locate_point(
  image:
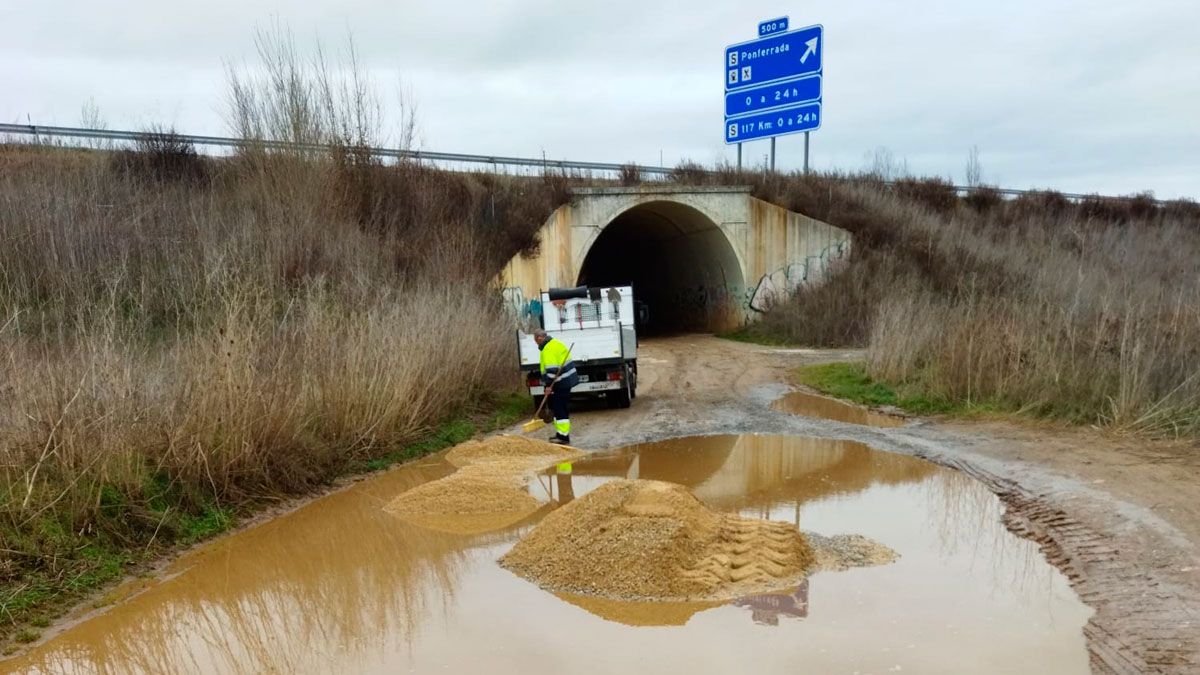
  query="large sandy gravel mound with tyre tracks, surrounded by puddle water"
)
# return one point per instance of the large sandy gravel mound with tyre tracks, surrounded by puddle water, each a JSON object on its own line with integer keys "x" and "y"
{"x": 647, "y": 540}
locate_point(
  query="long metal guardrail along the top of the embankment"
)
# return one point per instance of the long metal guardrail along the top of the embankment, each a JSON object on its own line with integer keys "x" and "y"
{"x": 419, "y": 156}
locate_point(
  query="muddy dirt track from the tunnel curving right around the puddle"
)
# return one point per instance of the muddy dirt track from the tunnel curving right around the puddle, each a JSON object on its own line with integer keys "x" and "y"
{"x": 1120, "y": 517}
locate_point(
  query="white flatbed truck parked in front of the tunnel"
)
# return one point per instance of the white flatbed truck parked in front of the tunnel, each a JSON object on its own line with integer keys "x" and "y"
{"x": 601, "y": 325}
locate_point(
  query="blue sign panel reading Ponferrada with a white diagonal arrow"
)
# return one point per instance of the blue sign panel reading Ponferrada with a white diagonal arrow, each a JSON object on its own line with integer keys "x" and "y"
{"x": 773, "y": 58}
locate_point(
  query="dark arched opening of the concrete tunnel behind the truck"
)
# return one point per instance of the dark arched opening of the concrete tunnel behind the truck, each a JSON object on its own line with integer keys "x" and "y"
{"x": 680, "y": 264}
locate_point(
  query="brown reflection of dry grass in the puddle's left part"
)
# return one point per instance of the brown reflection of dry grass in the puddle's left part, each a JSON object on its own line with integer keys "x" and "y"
{"x": 344, "y": 575}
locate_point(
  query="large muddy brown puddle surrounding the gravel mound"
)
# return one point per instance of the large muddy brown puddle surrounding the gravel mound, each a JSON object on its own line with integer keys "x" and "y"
{"x": 343, "y": 587}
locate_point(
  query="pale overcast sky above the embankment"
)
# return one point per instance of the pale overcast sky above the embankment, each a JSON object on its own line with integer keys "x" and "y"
{"x": 1079, "y": 97}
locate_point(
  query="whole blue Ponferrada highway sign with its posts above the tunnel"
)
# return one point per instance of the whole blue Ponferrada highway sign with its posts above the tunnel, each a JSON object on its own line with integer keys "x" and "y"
{"x": 773, "y": 86}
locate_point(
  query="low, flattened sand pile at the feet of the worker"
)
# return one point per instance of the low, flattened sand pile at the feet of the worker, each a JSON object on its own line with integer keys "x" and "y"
{"x": 488, "y": 492}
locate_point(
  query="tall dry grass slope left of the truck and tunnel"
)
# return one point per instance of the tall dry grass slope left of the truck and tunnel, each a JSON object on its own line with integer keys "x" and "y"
{"x": 181, "y": 336}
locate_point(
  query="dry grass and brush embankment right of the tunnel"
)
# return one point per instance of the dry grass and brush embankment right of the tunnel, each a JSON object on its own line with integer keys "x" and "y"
{"x": 1088, "y": 312}
